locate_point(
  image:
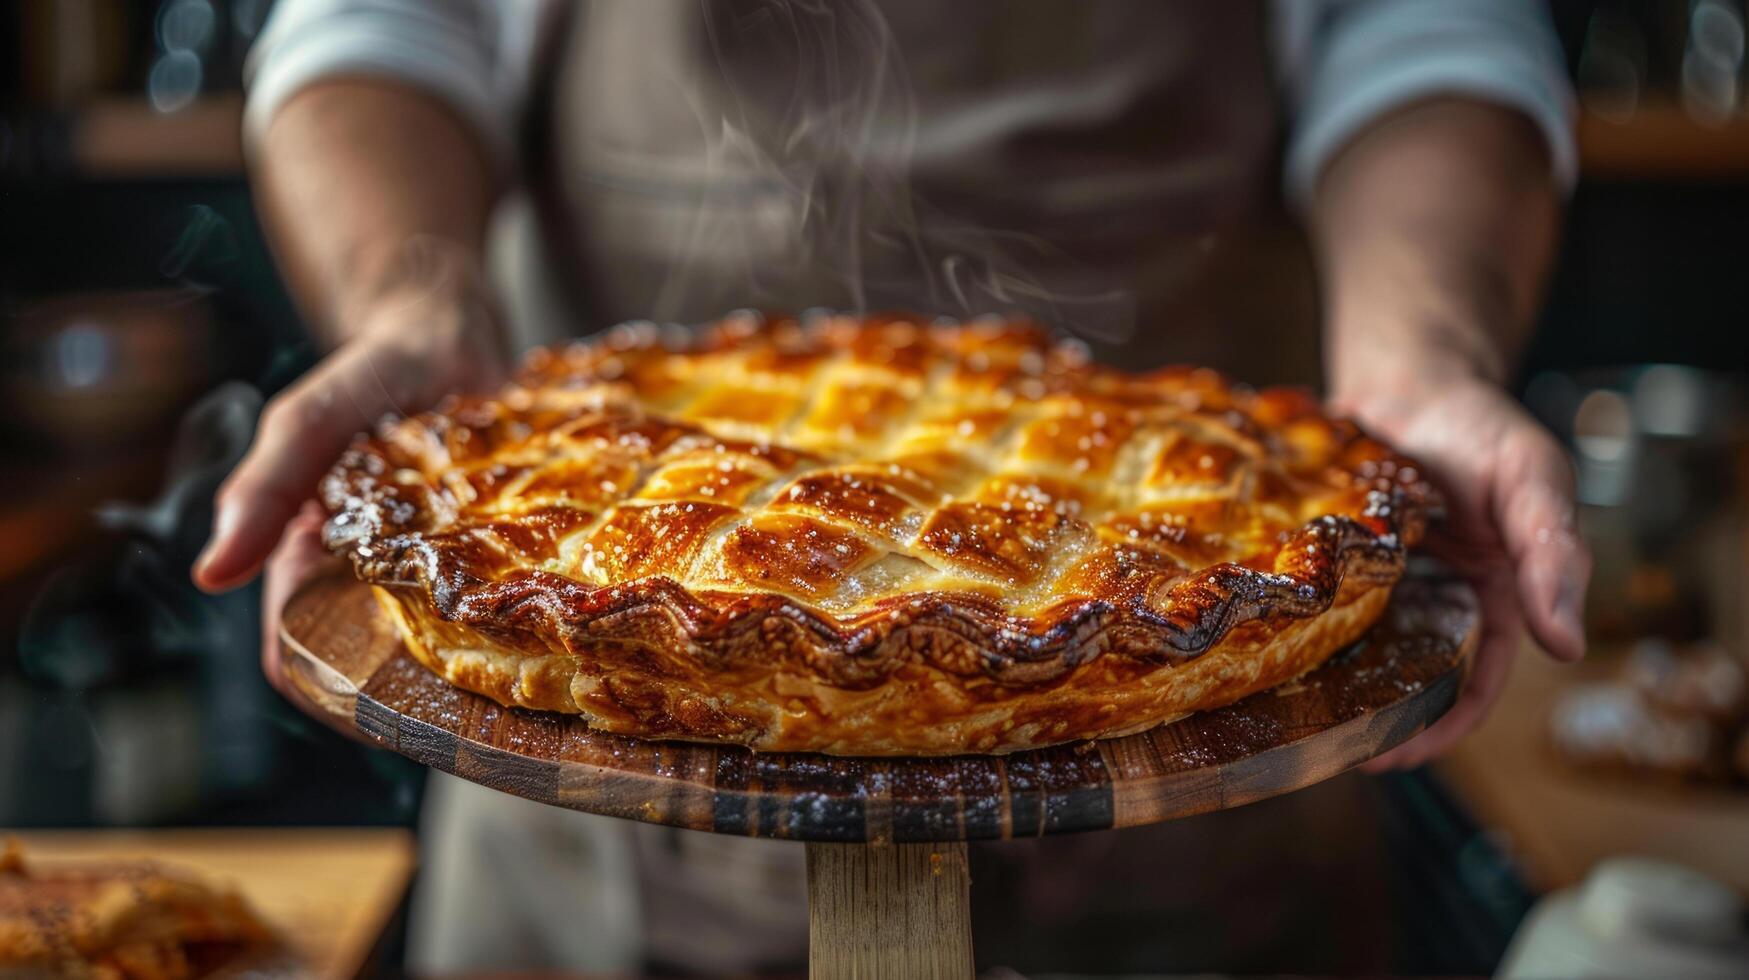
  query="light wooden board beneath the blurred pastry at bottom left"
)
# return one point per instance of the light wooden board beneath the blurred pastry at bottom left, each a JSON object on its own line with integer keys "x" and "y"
{"x": 328, "y": 893}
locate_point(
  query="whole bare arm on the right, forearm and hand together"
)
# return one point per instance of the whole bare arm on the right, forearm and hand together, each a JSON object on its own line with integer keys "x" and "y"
{"x": 1435, "y": 230}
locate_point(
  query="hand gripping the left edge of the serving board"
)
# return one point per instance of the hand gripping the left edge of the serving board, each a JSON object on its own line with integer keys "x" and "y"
{"x": 408, "y": 347}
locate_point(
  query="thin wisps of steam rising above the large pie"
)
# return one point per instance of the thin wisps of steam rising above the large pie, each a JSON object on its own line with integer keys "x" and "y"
{"x": 840, "y": 155}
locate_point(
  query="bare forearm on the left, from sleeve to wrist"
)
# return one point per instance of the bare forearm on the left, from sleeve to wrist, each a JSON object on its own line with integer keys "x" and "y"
{"x": 354, "y": 171}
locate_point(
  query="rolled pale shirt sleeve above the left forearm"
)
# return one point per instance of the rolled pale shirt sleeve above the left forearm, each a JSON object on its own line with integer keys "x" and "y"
{"x": 475, "y": 55}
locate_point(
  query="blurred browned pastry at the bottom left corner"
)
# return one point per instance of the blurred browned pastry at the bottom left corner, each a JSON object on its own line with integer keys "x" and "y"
{"x": 116, "y": 921}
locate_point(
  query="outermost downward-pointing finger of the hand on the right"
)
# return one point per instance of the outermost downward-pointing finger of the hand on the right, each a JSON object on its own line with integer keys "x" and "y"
{"x": 1535, "y": 514}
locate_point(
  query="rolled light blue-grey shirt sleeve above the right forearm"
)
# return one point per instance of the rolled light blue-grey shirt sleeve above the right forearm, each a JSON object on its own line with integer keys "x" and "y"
{"x": 1344, "y": 64}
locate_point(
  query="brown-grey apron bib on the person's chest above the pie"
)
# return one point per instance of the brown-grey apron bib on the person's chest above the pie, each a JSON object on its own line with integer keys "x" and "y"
{"x": 1075, "y": 162}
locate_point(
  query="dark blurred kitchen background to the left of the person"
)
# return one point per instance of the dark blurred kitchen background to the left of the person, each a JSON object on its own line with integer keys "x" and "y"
{"x": 136, "y": 298}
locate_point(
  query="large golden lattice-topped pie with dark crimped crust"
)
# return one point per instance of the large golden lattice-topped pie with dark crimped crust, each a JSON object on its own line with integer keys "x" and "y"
{"x": 872, "y": 536}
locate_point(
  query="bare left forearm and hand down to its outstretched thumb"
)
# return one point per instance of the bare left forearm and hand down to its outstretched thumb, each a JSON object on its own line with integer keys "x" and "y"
{"x": 377, "y": 200}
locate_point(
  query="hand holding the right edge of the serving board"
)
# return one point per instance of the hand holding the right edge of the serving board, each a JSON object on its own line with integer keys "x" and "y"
{"x": 1510, "y": 529}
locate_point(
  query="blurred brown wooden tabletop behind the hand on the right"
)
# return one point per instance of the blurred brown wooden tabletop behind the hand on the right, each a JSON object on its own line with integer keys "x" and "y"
{"x": 1557, "y": 822}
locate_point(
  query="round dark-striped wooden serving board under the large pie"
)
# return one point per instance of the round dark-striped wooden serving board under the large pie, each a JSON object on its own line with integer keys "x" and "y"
{"x": 344, "y": 654}
